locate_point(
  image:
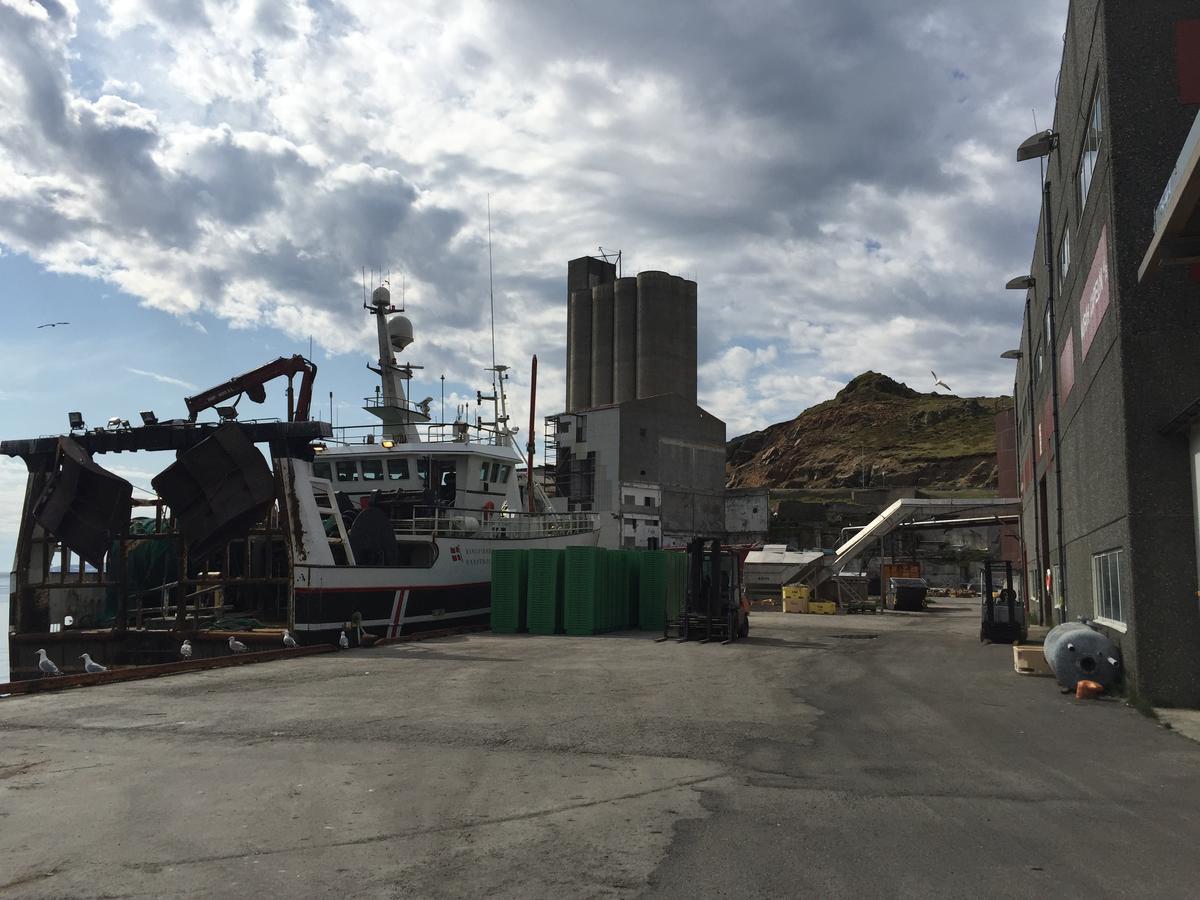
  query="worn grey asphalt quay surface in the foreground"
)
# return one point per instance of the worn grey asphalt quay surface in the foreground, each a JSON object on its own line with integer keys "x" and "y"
{"x": 850, "y": 757}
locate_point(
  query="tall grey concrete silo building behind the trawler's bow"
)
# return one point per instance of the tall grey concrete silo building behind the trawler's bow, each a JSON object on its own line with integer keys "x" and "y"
{"x": 633, "y": 445}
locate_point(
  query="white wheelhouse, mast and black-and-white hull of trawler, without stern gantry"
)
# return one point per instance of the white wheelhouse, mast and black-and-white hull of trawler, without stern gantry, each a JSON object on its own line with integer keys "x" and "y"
{"x": 395, "y": 523}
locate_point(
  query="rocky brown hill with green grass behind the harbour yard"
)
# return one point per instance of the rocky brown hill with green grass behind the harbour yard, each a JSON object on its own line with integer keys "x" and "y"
{"x": 875, "y": 425}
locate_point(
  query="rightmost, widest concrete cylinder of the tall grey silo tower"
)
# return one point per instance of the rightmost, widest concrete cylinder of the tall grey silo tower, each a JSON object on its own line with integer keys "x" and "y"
{"x": 662, "y": 335}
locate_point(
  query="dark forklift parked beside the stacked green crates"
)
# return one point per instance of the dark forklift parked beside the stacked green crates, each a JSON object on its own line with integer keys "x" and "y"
{"x": 715, "y": 608}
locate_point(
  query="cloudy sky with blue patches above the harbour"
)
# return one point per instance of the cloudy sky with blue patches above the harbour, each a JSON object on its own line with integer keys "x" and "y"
{"x": 196, "y": 187}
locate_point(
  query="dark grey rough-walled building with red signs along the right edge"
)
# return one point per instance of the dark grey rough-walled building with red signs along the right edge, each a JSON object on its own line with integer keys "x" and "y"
{"x": 1107, "y": 368}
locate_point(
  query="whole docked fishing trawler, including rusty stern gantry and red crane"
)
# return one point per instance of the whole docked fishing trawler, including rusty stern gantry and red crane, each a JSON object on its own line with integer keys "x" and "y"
{"x": 377, "y": 530}
